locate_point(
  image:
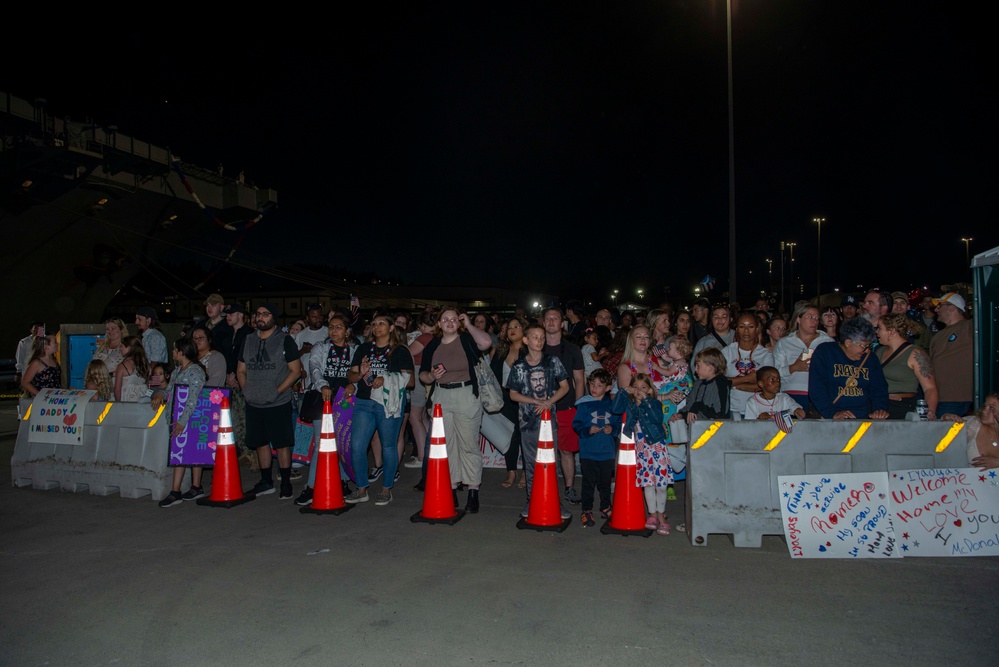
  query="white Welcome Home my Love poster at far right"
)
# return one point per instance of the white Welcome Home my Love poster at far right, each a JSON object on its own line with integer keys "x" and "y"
{"x": 946, "y": 511}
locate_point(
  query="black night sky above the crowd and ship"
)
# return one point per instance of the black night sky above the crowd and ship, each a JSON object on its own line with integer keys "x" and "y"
{"x": 577, "y": 148}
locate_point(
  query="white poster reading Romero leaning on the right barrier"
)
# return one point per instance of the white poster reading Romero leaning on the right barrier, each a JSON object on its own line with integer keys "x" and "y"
{"x": 838, "y": 515}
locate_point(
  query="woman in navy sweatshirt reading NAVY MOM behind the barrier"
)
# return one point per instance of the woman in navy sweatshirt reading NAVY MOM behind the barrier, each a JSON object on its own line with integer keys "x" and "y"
{"x": 845, "y": 379}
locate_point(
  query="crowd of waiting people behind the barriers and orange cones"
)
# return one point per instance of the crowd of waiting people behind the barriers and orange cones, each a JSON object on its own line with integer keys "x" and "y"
{"x": 872, "y": 357}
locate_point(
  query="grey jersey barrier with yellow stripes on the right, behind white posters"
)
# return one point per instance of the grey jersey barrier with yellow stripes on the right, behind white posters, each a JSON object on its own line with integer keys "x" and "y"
{"x": 733, "y": 466}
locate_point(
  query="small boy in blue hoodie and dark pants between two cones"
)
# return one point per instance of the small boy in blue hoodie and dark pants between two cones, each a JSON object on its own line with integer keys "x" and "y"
{"x": 597, "y": 429}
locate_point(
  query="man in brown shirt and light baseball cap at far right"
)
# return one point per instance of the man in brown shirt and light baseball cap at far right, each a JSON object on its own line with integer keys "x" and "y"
{"x": 952, "y": 351}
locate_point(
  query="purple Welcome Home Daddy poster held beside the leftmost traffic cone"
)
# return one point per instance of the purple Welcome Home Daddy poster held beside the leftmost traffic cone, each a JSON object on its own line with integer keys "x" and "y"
{"x": 195, "y": 446}
